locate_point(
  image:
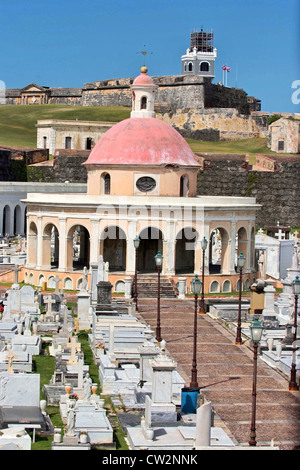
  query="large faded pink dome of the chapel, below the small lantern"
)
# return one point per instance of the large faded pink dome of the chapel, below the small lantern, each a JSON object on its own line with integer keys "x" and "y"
{"x": 142, "y": 141}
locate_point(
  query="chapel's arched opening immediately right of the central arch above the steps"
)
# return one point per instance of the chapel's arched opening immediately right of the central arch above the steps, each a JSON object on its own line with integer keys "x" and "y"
{"x": 185, "y": 251}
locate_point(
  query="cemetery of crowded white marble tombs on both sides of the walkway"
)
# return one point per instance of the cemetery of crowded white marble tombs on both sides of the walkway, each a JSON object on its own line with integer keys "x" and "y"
{"x": 130, "y": 384}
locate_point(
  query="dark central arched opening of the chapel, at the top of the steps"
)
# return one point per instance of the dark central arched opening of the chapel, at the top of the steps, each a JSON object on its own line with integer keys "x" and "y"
{"x": 151, "y": 242}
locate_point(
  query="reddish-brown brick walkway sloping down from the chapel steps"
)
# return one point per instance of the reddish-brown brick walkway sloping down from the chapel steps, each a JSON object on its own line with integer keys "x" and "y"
{"x": 225, "y": 374}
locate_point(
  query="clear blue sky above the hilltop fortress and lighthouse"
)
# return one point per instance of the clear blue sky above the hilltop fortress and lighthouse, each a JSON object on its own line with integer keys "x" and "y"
{"x": 66, "y": 43}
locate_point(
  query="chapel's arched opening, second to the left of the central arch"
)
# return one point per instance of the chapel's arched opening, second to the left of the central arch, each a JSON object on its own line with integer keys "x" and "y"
{"x": 78, "y": 248}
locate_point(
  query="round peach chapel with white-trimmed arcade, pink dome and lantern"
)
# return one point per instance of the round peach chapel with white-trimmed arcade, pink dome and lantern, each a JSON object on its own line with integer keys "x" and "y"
{"x": 142, "y": 181}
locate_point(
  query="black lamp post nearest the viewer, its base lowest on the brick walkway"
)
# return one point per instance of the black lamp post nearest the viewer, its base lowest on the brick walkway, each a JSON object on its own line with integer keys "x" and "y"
{"x": 256, "y": 334}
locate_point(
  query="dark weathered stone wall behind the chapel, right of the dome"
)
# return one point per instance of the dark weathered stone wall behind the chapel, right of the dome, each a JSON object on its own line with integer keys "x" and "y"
{"x": 277, "y": 189}
